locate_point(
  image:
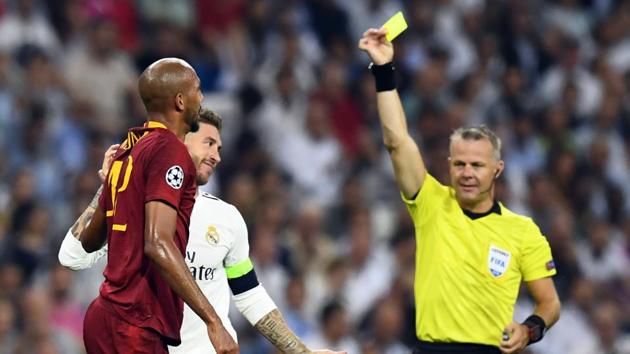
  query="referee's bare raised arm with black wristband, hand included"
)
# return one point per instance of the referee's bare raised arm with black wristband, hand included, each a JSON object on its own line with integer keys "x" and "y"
{"x": 406, "y": 159}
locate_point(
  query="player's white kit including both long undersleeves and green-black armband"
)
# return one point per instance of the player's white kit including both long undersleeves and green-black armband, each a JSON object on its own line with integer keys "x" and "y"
{"x": 218, "y": 258}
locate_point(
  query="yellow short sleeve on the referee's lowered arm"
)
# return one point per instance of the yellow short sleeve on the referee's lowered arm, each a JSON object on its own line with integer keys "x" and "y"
{"x": 537, "y": 261}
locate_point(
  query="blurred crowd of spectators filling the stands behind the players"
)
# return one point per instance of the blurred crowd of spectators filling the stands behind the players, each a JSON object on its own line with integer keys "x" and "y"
{"x": 303, "y": 159}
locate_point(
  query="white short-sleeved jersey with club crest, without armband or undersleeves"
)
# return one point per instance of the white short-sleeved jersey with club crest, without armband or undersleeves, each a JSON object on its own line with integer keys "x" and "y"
{"x": 218, "y": 238}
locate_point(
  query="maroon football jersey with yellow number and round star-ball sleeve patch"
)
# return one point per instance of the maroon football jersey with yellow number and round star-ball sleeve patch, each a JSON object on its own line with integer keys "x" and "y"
{"x": 152, "y": 165}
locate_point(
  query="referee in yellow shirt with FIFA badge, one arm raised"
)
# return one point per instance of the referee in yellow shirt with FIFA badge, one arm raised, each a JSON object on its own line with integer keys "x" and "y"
{"x": 472, "y": 252}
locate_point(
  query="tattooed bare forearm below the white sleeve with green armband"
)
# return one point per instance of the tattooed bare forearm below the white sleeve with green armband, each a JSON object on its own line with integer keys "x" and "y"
{"x": 275, "y": 329}
